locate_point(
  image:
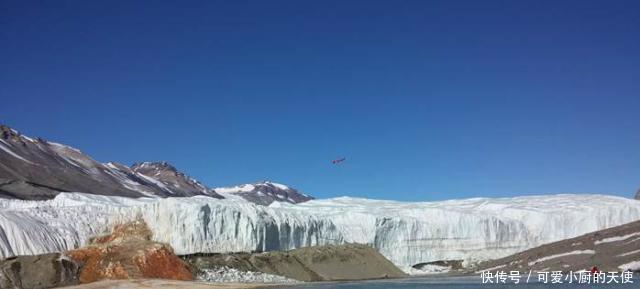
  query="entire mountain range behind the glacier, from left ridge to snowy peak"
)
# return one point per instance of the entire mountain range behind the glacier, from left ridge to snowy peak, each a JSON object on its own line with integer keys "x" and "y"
{"x": 36, "y": 169}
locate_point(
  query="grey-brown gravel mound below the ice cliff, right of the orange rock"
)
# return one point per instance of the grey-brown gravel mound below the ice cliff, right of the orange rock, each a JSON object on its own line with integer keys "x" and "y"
{"x": 320, "y": 263}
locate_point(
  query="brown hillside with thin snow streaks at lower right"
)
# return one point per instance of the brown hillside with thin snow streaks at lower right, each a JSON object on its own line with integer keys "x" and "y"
{"x": 613, "y": 249}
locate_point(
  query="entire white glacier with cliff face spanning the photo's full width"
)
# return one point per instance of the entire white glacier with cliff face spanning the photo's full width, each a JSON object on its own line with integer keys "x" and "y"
{"x": 406, "y": 233}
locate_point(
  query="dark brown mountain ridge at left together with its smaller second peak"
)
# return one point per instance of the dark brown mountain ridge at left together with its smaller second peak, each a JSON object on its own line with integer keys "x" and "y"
{"x": 39, "y": 169}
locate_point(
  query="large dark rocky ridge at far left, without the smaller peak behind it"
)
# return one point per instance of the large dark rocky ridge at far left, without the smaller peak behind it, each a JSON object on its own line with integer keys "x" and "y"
{"x": 38, "y": 169}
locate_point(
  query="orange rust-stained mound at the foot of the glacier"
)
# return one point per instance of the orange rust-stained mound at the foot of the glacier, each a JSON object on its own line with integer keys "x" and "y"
{"x": 127, "y": 253}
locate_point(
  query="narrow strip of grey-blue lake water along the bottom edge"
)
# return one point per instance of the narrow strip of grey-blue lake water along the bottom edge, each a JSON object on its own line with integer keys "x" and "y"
{"x": 454, "y": 282}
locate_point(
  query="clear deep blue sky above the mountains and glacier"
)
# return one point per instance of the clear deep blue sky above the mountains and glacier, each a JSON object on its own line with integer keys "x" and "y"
{"x": 427, "y": 100}
